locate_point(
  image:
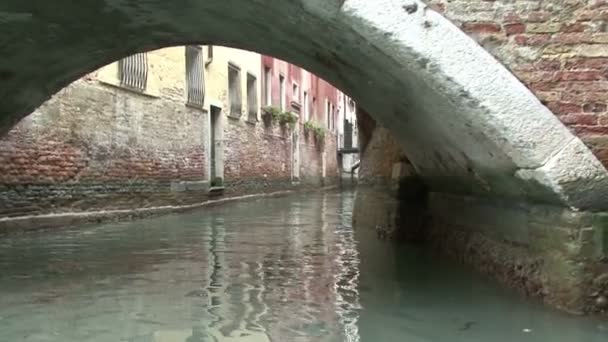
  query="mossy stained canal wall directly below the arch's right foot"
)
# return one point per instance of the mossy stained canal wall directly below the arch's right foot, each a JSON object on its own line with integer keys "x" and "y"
{"x": 547, "y": 252}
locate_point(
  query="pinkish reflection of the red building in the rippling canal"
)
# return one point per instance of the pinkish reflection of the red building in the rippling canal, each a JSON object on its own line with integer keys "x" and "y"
{"x": 297, "y": 285}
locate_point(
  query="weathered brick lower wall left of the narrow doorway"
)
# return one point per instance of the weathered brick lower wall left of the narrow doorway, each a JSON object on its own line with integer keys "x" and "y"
{"x": 92, "y": 147}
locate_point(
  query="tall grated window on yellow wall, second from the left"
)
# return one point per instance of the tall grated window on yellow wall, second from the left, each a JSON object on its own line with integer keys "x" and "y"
{"x": 195, "y": 82}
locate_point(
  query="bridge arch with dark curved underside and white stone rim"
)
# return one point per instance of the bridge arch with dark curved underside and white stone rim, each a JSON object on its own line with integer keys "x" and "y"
{"x": 465, "y": 122}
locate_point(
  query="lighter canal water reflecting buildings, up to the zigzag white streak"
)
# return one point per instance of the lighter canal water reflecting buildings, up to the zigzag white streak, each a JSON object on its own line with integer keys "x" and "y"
{"x": 268, "y": 270}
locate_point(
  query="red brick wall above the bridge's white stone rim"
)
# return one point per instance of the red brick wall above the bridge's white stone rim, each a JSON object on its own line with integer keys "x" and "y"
{"x": 558, "y": 48}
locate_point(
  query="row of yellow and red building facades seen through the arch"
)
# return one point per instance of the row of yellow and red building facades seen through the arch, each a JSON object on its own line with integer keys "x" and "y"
{"x": 171, "y": 127}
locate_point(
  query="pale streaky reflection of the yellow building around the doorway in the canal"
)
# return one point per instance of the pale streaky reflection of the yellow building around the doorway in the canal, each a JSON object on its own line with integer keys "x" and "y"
{"x": 228, "y": 312}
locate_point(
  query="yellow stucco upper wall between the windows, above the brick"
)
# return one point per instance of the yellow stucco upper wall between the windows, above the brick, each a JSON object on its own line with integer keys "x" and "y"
{"x": 167, "y": 75}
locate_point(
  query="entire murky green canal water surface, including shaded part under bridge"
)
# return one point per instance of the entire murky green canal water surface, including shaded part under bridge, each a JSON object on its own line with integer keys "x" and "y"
{"x": 283, "y": 269}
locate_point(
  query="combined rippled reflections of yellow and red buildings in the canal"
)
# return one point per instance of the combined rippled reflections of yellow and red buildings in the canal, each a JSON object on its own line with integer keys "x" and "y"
{"x": 299, "y": 284}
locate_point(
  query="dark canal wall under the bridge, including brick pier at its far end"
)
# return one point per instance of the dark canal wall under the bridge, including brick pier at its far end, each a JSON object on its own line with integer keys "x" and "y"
{"x": 544, "y": 251}
